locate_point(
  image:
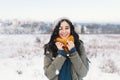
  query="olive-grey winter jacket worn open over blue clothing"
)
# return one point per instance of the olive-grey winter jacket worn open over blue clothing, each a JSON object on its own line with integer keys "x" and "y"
{"x": 53, "y": 65}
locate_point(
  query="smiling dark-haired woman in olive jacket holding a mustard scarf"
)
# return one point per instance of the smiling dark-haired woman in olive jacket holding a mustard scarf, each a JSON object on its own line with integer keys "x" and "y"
{"x": 65, "y": 57}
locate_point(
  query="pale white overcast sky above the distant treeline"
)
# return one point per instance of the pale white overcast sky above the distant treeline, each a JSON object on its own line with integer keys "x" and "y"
{"x": 50, "y": 10}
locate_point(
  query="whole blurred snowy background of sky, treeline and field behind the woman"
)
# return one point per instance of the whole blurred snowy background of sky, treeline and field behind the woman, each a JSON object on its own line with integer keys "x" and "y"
{"x": 26, "y": 25}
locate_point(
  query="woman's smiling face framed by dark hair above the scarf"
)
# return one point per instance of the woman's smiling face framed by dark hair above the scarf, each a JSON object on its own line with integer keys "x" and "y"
{"x": 64, "y": 29}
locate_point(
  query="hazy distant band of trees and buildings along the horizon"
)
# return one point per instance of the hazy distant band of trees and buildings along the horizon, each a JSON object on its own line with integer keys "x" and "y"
{"x": 32, "y": 27}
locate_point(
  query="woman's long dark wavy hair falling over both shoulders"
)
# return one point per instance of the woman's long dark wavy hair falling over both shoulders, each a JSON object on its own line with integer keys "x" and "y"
{"x": 55, "y": 34}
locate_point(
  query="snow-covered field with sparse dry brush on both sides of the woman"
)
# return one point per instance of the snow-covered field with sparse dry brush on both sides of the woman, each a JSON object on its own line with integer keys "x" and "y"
{"x": 21, "y": 56}
